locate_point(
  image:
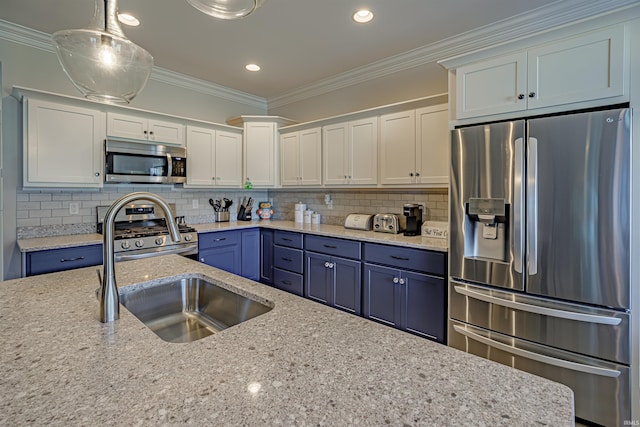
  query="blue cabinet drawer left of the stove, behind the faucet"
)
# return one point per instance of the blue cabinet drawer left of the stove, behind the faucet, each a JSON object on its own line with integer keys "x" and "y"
{"x": 63, "y": 259}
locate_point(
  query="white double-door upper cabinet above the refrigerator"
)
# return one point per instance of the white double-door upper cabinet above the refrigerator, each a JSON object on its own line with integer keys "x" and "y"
{"x": 579, "y": 69}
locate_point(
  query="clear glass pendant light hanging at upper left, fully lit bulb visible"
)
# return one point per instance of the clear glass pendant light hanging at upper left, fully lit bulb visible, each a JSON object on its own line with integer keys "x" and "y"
{"x": 100, "y": 61}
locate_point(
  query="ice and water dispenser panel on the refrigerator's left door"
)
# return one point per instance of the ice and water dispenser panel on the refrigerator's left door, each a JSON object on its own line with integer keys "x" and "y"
{"x": 486, "y": 229}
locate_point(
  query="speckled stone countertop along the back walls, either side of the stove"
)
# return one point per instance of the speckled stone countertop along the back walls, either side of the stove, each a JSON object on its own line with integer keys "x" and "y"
{"x": 57, "y": 242}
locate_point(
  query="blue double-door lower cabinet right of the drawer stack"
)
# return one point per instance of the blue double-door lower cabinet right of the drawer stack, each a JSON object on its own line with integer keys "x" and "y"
{"x": 333, "y": 281}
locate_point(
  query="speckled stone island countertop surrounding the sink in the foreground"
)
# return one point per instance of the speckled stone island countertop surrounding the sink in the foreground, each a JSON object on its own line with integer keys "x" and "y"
{"x": 308, "y": 364}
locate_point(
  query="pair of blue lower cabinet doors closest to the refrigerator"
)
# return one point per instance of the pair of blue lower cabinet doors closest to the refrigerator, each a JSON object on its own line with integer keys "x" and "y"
{"x": 411, "y": 301}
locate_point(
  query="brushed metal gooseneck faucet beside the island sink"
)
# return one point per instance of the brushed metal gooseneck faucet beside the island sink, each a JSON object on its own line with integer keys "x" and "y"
{"x": 108, "y": 292}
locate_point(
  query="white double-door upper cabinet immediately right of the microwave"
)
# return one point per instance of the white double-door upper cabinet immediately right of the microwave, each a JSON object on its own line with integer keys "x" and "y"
{"x": 214, "y": 158}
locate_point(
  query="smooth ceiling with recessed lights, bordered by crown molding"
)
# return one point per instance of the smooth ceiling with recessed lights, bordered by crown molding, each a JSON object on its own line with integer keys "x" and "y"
{"x": 296, "y": 42}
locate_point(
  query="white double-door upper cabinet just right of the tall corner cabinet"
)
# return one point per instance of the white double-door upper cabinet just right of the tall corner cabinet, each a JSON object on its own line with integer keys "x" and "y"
{"x": 301, "y": 157}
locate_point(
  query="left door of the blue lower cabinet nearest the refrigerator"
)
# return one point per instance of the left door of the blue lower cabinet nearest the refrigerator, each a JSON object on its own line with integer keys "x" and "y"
{"x": 381, "y": 302}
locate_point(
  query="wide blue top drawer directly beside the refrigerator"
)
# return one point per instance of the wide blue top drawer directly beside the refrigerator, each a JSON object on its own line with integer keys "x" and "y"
{"x": 405, "y": 258}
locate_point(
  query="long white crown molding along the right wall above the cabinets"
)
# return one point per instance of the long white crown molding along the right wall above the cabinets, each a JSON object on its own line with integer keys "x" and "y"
{"x": 556, "y": 15}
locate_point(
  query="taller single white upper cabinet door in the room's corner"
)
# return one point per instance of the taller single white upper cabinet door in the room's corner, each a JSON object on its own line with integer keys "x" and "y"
{"x": 260, "y": 153}
